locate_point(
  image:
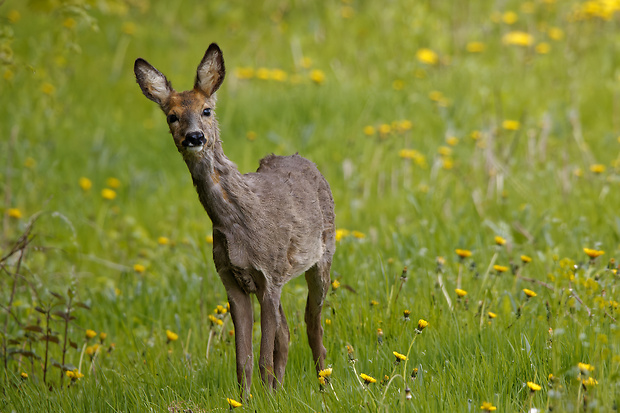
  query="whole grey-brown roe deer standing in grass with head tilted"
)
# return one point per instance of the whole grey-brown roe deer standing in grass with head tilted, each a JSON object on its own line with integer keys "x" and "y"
{"x": 268, "y": 226}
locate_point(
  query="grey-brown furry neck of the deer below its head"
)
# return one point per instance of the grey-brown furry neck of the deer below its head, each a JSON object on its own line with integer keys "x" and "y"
{"x": 222, "y": 190}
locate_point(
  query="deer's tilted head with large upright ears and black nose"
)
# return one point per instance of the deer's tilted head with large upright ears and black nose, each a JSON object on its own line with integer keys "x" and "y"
{"x": 190, "y": 114}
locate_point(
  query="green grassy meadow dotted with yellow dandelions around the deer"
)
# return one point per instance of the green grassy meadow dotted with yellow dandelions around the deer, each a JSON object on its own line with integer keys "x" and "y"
{"x": 473, "y": 151}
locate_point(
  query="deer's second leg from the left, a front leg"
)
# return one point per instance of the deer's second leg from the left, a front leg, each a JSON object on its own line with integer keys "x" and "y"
{"x": 270, "y": 323}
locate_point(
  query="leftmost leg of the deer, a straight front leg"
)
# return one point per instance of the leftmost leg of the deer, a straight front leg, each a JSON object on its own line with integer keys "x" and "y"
{"x": 243, "y": 318}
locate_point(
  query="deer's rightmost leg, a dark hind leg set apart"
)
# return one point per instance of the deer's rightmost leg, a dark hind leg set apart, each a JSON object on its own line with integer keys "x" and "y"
{"x": 317, "y": 278}
